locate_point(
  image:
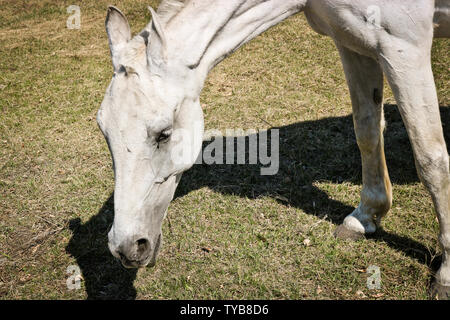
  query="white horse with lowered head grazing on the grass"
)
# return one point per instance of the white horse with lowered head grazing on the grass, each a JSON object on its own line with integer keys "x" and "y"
{"x": 159, "y": 74}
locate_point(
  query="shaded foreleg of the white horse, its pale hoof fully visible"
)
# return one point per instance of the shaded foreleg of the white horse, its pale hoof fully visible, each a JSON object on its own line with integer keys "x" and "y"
{"x": 365, "y": 81}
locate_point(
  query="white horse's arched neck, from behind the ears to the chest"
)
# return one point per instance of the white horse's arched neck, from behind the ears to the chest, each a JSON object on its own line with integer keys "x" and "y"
{"x": 203, "y": 33}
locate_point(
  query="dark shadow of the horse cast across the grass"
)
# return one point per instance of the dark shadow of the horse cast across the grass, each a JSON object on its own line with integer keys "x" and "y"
{"x": 309, "y": 152}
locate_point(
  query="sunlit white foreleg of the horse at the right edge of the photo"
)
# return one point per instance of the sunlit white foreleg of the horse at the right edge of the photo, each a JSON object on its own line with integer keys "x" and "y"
{"x": 408, "y": 70}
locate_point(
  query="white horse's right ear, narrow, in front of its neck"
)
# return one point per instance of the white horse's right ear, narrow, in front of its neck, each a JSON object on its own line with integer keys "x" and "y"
{"x": 156, "y": 50}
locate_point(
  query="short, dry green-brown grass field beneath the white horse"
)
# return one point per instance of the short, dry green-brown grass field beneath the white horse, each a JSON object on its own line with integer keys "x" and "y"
{"x": 231, "y": 233}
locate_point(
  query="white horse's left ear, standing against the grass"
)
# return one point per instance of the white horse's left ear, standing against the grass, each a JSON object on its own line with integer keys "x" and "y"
{"x": 118, "y": 31}
